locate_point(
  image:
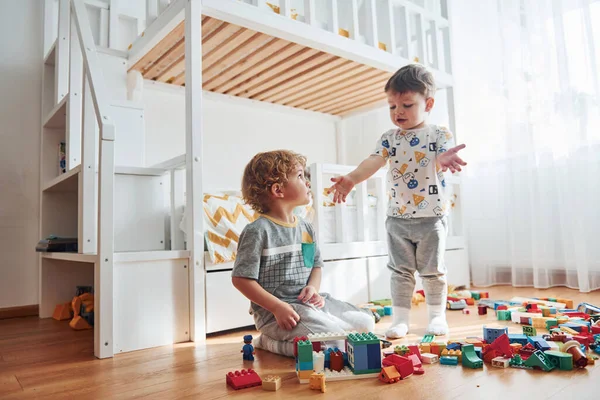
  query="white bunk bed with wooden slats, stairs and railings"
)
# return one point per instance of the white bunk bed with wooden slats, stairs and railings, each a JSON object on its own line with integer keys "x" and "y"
{"x": 155, "y": 284}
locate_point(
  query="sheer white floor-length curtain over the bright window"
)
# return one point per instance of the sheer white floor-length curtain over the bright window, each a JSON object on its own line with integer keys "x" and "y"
{"x": 528, "y": 107}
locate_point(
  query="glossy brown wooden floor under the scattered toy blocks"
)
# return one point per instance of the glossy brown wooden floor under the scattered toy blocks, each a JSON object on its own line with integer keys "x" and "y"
{"x": 45, "y": 359}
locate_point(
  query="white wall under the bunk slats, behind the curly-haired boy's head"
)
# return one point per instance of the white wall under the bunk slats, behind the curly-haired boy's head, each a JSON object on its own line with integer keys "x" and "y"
{"x": 234, "y": 131}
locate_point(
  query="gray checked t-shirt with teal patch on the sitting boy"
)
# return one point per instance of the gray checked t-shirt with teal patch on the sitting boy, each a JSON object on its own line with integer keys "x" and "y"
{"x": 279, "y": 257}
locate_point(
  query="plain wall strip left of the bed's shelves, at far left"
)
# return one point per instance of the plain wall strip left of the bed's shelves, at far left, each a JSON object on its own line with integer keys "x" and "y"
{"x": 20, "y": 93}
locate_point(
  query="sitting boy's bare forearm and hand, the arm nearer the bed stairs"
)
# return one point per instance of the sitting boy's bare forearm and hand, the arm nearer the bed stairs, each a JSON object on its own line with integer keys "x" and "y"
{"x": 285, "y": 315}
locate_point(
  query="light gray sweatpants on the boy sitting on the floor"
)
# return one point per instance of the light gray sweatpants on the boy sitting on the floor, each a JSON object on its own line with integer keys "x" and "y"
{"x": 335, "y": 316}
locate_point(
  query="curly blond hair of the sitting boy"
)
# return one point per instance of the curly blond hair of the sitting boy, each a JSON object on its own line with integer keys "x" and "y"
{"x": 265, "y": 170}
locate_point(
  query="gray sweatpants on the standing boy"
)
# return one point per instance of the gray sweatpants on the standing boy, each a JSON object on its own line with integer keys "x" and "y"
{"x": 417, "y": 245}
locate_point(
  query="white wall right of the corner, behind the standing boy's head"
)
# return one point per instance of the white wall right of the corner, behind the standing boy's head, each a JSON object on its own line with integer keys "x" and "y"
{"x": 361, "y": 132}
